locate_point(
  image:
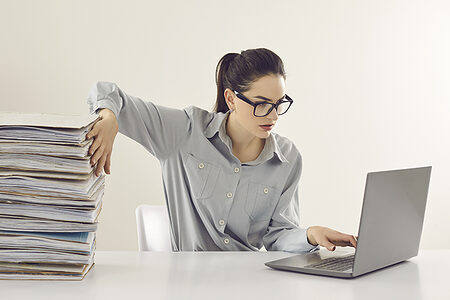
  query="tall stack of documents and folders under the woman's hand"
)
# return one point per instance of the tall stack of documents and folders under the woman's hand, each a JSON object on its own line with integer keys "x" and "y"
{"x": 50, "y": 198}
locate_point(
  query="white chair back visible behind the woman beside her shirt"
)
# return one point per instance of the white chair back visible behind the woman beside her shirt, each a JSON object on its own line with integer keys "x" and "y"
{"x": 153, "y": 228}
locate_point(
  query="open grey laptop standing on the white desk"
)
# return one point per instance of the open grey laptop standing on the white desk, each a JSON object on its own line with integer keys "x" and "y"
{"x": 390, "y": 228}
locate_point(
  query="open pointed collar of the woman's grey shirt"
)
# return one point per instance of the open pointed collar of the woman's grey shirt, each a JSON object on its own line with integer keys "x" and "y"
{"x": 217, "y": 125}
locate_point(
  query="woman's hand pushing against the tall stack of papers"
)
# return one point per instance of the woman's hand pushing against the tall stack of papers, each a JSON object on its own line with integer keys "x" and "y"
{"x": 103, "y": 132}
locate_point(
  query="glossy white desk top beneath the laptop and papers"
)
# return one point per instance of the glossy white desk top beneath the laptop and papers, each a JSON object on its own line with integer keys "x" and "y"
{"x": 235, "y": 275}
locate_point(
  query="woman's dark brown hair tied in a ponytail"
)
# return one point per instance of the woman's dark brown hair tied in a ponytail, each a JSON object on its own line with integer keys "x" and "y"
{"x": 238, "y": 71}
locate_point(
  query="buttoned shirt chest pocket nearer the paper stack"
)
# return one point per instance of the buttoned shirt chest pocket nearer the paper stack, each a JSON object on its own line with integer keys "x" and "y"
{"x": 202, "y": 176}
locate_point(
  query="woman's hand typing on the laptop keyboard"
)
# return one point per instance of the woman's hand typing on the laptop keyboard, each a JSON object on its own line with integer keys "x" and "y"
{"x": 329, "y": 238}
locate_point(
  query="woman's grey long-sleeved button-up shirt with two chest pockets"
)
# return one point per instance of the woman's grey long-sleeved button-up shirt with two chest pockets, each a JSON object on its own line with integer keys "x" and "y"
{"x": 214, "y": 201}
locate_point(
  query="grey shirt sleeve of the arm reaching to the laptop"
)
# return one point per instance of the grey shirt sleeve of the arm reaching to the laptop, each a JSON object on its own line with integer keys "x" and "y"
{"x": 284, "y": 232}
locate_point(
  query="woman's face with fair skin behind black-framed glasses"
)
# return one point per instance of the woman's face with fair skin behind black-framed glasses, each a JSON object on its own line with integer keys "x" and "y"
{"x": 269, "y": 88}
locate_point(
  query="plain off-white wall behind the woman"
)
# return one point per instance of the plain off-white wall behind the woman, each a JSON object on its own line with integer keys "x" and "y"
{"x": 370, "y": 81}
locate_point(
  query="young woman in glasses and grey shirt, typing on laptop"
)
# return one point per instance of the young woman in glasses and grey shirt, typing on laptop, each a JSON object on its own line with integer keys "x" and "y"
{"x": 230, "y": 183}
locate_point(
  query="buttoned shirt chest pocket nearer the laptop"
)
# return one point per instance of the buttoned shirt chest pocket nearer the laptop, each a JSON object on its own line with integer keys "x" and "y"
{"x": 261, "y": 200}
